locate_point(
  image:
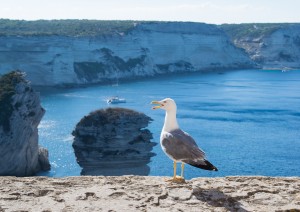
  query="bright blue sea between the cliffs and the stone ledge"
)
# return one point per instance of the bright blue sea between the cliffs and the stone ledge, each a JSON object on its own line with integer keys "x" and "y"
{"x": 247, "y": 121}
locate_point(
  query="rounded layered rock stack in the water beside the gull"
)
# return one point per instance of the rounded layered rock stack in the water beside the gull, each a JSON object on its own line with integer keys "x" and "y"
{"x": 113, "y": 141}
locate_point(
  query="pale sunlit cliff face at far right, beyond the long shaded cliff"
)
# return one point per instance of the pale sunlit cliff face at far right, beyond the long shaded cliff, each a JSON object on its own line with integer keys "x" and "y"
{"x": 274, "y": 46}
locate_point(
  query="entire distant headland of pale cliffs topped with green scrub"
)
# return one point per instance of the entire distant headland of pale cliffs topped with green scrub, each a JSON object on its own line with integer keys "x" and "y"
{"x": 77, "y": 52}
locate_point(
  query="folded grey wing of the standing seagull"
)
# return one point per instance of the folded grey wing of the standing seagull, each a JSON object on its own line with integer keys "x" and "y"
{"x": 181, "y": 146}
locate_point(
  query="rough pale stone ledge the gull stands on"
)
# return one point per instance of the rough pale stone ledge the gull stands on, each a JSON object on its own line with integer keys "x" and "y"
{"x": 140, "y": 193}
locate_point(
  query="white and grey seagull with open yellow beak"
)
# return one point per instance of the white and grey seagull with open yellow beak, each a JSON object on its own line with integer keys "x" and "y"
{"x": 178, "y": 145}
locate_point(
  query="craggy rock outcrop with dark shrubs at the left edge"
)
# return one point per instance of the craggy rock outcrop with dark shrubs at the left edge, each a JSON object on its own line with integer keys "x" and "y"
{"x": 20, "y": 114}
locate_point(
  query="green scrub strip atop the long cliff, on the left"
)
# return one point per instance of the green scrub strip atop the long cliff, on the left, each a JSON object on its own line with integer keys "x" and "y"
{"x": 72, "y": 28}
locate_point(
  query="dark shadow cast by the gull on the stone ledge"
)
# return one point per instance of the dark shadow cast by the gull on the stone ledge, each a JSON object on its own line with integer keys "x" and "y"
{"x": 217, "y": 198}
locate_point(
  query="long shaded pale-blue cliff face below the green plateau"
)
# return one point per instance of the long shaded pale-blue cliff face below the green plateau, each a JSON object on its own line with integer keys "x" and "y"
{"x": 146, "y": 50}
